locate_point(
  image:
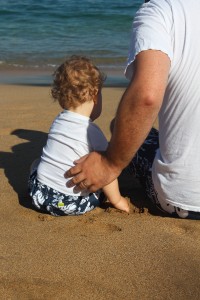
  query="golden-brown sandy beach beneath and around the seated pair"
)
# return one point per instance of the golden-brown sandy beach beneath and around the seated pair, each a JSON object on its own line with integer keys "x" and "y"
{"x": 104, "y": 254}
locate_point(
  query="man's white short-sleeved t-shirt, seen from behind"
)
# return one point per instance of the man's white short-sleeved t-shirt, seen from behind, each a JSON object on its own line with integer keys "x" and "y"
{"x": 173, "y": 27}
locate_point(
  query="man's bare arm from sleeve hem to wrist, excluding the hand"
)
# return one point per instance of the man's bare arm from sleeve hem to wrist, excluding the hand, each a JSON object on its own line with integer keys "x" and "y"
{"x": 139, "y": 106}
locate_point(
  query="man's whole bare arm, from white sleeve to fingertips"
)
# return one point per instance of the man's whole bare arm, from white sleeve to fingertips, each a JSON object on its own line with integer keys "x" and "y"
{"x": 135, "y": 116}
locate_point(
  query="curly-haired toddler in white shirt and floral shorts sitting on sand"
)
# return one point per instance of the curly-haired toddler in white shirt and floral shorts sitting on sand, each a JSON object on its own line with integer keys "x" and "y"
{"x": 77, "y": 87}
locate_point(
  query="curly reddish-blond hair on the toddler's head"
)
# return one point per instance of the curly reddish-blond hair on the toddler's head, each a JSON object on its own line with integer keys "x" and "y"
{"x": 76, "y": 81}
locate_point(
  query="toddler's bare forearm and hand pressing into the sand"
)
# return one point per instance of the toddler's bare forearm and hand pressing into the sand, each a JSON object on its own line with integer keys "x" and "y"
{"x": 113, "y": 194}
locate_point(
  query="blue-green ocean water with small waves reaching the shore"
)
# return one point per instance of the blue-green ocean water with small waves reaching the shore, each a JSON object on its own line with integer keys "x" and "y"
{"x": 40, "y": 34}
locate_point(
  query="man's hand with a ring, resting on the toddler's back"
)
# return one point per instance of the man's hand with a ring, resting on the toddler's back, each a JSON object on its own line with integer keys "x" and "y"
{"x": 92, "y": 172}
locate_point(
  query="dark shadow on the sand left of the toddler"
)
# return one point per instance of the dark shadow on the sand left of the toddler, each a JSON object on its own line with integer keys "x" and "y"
{"x": 16, "y": 164}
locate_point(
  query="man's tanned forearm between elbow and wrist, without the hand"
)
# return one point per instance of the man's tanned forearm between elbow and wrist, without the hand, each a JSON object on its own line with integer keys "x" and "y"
{"x": 134, "y": 120}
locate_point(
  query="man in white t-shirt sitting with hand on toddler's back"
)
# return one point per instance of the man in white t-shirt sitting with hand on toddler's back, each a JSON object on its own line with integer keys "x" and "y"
{"x": 164, "y": 69}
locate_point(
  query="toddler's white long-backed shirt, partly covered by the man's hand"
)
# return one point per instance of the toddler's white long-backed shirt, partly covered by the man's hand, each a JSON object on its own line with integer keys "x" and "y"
{"x": 71, "y": 136}
